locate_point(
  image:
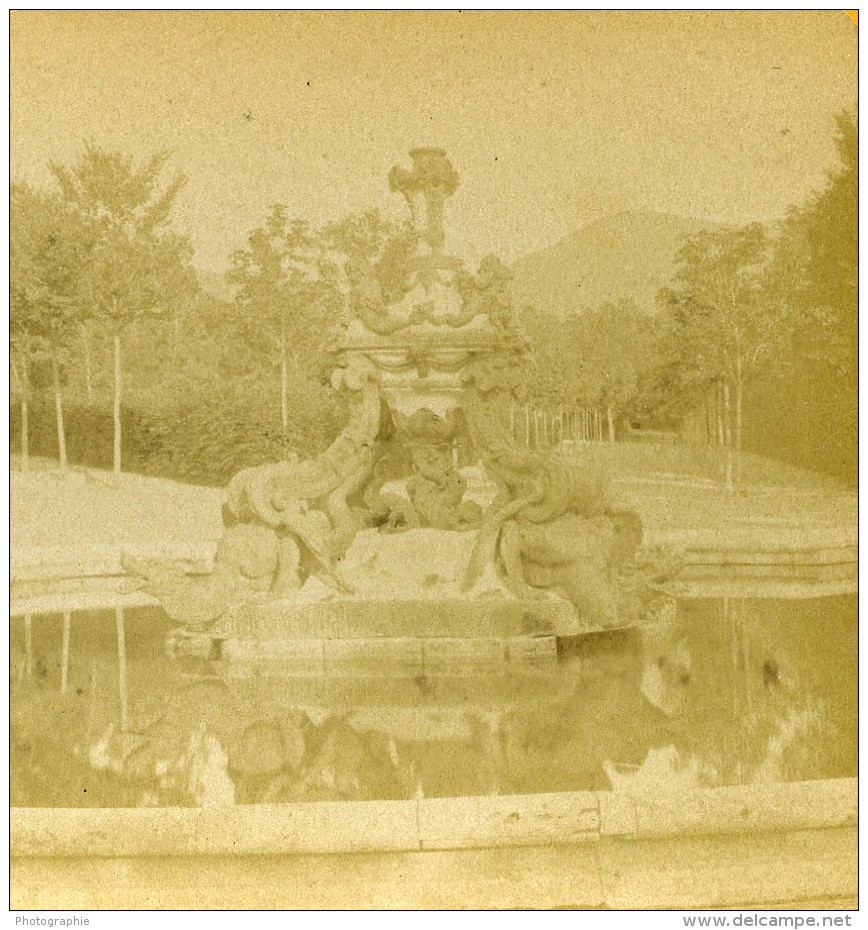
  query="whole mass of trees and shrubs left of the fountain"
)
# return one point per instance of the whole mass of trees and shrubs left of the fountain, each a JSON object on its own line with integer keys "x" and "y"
{"x": 96, "y": 261}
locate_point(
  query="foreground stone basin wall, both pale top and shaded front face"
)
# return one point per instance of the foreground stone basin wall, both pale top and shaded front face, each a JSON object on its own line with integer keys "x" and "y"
{"x": 760, "y": 847}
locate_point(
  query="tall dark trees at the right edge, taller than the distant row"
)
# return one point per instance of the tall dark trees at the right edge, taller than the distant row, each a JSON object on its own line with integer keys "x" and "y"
{"x": 758, "y": 307}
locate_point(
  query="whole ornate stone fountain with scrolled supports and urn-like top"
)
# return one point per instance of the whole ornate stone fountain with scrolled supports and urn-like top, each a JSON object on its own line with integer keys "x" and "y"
{"x": 377, "y": 539}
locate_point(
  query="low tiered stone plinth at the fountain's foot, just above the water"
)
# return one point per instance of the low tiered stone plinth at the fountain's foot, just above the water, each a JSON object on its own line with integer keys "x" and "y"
{"x": 411, "y": 637}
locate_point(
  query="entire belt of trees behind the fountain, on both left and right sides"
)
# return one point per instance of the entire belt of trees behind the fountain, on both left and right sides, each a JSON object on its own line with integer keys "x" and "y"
{"x": 102, "y": 285}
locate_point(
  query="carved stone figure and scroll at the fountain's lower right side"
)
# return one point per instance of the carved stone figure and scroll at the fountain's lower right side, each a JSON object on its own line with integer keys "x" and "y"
{"x": 551, "y": 530}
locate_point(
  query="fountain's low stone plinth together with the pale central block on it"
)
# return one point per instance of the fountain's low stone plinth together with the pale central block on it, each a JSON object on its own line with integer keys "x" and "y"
{"x": 406, "y": 617}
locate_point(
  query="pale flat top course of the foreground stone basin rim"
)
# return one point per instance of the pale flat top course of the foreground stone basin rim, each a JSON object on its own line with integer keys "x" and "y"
{"x": 432, "y": 823}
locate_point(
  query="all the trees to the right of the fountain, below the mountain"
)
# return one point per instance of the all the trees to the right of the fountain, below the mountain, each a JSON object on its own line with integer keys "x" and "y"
{"x": 747, "y": 307}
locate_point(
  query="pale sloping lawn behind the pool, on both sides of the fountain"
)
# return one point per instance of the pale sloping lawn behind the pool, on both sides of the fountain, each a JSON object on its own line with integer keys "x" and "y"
{"x": 668, "y": 484}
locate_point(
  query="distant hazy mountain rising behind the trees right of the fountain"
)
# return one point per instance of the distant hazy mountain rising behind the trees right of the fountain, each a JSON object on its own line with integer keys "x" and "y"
{"x": 626, "y": 255}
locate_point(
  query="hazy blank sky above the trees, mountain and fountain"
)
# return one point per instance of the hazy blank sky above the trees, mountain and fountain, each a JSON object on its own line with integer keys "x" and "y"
{"x": 552, "y": 119}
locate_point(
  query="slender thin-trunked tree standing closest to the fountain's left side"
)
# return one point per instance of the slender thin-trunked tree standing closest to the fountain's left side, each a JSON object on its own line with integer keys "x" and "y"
{"x": 287, "y": 300}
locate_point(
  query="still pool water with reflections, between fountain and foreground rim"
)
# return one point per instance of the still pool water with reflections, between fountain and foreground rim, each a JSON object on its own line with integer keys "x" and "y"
{"x": 737, "y": 692}
